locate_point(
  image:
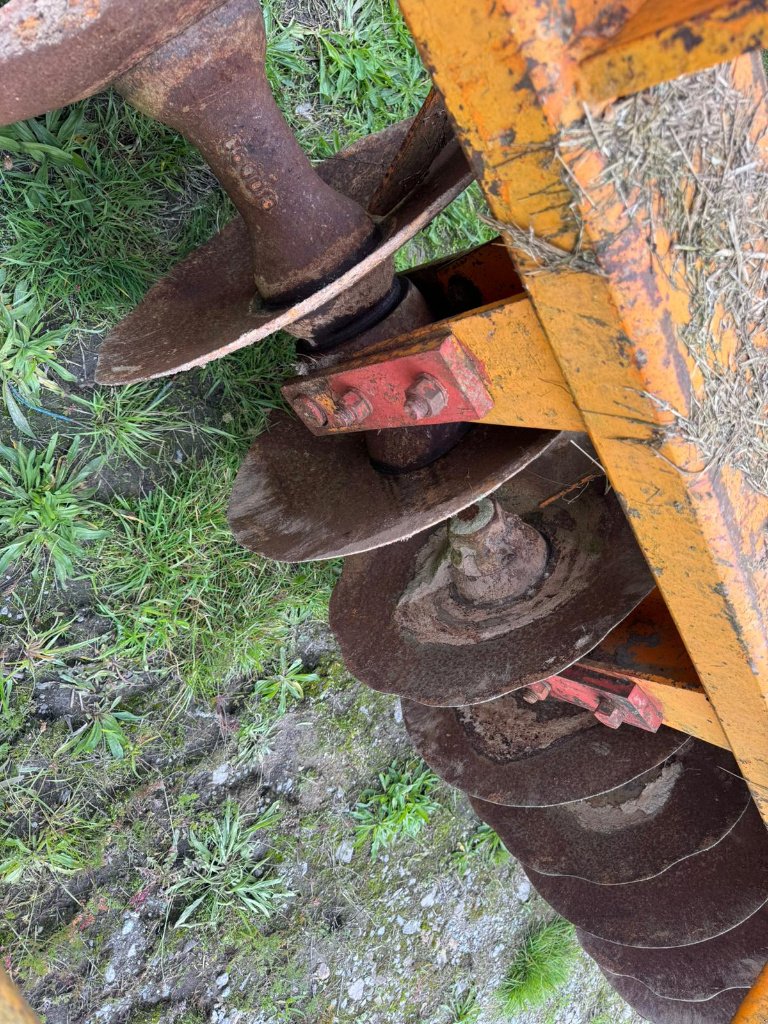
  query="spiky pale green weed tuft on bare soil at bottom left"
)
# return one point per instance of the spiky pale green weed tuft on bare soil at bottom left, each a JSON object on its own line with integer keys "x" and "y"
{"x": 223, "y": 873}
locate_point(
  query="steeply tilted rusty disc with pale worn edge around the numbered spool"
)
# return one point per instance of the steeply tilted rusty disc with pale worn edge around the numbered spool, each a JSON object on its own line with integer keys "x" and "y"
{"x": 207, "y": 307}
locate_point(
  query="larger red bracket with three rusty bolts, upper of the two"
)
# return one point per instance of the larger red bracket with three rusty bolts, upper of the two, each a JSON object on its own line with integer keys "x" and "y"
{"x": 440, "y": 381}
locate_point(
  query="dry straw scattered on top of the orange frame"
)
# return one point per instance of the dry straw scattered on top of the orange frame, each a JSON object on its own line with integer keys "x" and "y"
{"x": 688, "y": 154}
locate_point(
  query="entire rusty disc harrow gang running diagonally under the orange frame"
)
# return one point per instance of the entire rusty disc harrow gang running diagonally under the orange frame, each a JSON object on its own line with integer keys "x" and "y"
{"x": 481, "y": 561}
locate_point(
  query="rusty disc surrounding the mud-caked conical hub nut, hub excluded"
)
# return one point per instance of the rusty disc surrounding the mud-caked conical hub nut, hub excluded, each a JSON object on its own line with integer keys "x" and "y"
{"x": 594, "y": 578}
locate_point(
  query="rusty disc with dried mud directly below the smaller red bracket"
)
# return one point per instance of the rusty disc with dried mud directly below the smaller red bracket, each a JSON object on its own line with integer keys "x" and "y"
{"x": 509, "y": 752}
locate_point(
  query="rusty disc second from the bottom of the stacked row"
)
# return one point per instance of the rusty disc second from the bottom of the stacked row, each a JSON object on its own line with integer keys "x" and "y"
{"x": 731, "y": 961}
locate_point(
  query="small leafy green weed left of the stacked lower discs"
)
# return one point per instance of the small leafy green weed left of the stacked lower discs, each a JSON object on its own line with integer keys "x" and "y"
{"x": 399, "y": 806}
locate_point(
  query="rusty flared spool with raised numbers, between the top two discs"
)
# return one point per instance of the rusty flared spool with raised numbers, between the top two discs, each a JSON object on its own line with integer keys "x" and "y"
{"x": 210, "y": 84}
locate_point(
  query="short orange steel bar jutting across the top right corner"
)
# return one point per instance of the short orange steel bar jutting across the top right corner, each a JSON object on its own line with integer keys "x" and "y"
{"x": 664, "y": 40}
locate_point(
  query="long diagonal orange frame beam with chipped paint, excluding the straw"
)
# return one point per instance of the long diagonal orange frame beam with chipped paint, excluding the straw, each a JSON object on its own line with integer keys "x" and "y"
{"x": 615, "y": 309}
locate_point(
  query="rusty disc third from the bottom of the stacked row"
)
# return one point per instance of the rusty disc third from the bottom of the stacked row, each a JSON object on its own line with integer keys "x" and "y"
{"x": 695, "y": 901}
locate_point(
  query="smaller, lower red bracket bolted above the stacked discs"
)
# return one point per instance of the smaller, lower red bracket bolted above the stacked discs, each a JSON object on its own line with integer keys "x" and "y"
{"x": 612, "y": 702}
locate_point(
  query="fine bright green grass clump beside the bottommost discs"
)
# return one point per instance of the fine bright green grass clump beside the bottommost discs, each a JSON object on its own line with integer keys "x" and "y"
{"x": 541, "y": 966}
